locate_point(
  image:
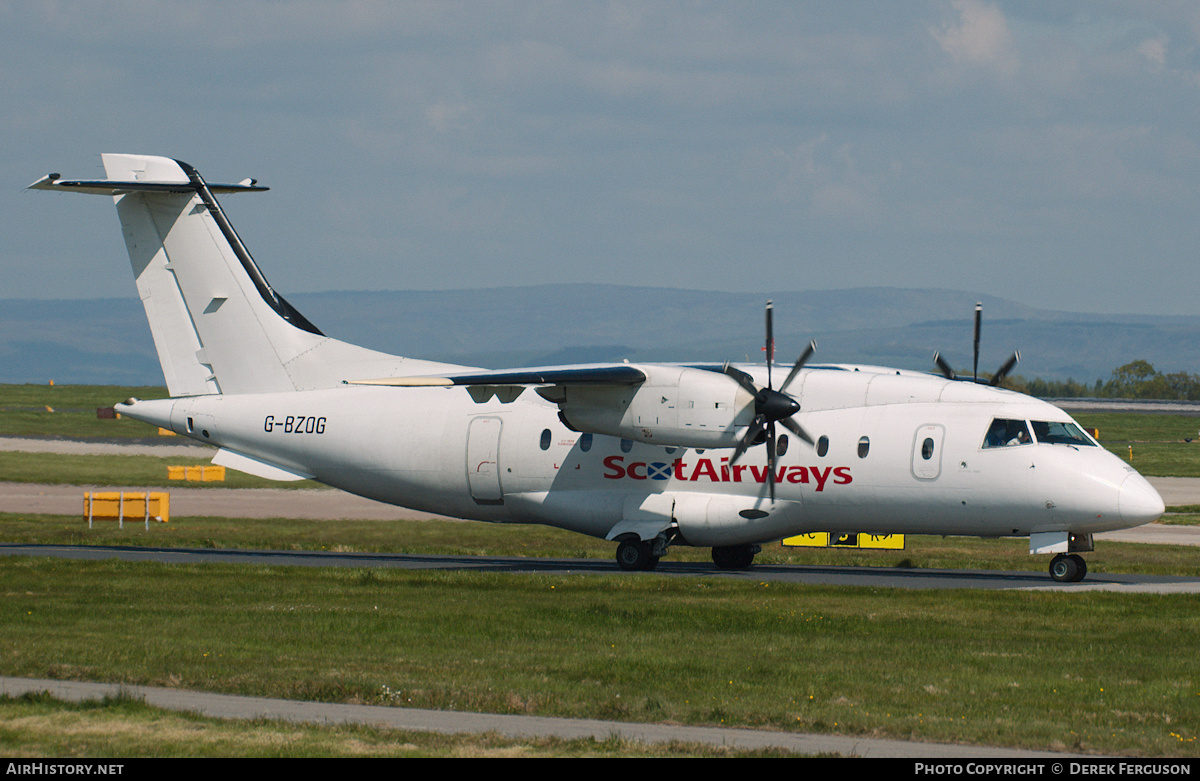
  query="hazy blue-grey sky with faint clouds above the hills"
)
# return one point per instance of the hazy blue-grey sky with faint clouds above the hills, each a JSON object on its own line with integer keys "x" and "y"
{"x": 1042, "y": 152}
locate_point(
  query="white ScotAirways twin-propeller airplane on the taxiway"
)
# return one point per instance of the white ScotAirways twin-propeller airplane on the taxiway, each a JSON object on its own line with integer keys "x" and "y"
{"x": 649, "y": 456}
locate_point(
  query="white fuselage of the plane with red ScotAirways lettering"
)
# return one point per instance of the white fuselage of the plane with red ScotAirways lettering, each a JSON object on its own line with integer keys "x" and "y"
{"x": 897, "y": 453}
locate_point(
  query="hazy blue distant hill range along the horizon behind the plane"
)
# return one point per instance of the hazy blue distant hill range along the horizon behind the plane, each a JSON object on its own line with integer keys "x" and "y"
{"x": 109, "y": 341}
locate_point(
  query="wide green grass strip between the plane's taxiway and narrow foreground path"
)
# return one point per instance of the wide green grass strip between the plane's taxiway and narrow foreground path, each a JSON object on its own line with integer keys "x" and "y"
{"x": 1095, "y": 672}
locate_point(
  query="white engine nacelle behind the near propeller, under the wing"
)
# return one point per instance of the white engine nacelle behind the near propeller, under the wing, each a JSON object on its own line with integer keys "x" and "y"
{"x": 676, "y": 406}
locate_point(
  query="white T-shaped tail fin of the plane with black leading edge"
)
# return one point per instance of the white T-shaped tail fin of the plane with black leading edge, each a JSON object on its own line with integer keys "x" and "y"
{"x": 218, "y": 325}
